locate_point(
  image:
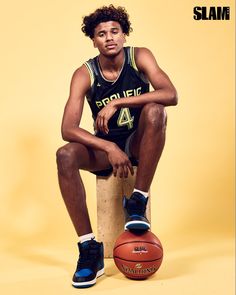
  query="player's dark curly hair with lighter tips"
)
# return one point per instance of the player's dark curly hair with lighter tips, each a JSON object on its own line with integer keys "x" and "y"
{"x": 104, "y": 14}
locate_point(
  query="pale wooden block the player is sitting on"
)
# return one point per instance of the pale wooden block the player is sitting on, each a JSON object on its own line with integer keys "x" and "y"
{"x": 110, "y": 214}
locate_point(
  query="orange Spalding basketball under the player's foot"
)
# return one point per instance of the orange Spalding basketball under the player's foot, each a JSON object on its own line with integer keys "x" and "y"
{"x": 138, "y": 255}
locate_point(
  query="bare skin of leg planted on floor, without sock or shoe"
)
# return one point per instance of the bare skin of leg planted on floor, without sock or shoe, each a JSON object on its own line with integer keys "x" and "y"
{"x": 71, "y": 158}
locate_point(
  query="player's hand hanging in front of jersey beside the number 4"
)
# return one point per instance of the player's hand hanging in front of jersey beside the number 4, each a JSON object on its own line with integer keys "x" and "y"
{"x": 104, "y": 115}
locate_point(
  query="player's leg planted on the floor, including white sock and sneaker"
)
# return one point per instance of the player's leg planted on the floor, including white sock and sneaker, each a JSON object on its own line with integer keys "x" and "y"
{"x": 71, "y": 158}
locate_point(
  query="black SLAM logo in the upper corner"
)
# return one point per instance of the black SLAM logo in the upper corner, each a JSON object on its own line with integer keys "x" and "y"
{"x": 211, "y": 13}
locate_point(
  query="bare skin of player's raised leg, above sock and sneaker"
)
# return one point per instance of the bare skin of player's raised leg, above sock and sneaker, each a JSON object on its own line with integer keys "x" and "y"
{"x": 148, "y": 142}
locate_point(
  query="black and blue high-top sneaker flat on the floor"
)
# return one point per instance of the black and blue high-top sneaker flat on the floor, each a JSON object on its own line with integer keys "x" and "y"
{"x": 90, "y": 265}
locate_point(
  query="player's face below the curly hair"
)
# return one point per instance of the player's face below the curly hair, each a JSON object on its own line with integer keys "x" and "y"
{"x": 109, "y": 38}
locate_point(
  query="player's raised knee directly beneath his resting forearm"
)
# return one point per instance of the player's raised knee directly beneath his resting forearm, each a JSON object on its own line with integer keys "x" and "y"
{"x": 155, "y": 115}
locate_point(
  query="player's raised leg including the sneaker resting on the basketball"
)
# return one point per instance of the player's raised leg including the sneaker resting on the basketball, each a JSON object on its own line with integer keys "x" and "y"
{"x": 146, "y": 145}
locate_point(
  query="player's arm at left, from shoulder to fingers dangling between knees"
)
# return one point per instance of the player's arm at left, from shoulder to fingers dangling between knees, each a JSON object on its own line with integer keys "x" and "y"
{"x": 71, "y": 131}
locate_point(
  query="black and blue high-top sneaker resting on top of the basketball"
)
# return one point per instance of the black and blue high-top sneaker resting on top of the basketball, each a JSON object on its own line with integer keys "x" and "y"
{"x": 135, "y": 208}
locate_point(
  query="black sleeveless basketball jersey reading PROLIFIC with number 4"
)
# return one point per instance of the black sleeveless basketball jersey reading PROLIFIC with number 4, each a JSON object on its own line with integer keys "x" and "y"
{"x": 130, "y": 82}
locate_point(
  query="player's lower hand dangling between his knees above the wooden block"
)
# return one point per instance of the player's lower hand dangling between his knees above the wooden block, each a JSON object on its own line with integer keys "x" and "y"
{"x": 120, "y": 162}
